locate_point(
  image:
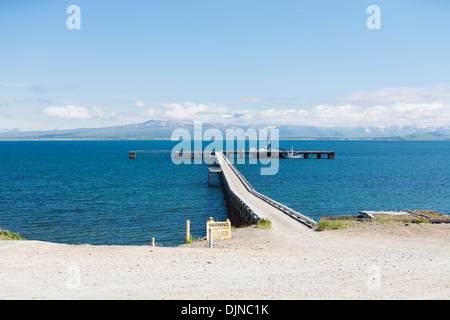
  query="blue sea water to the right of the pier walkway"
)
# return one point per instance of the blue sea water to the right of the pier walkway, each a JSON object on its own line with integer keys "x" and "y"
{"x": 366, "y": 175}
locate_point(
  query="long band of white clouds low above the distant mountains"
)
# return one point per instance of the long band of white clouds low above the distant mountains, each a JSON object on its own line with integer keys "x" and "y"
{"x": 389, "y": 106}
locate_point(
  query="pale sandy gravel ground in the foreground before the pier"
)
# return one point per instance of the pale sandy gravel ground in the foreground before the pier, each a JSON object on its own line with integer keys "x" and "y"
{"x": 365, "y": 262}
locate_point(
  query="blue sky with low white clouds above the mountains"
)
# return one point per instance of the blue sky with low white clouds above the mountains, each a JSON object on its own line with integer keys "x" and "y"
{"x": 243, "y": 61}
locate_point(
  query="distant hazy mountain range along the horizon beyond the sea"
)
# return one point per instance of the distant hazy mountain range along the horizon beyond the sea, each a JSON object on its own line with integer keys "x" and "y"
{"x": 159, "y": 129}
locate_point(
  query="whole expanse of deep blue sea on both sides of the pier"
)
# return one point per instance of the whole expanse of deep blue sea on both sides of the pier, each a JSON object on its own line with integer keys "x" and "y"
{"x": 90, "y": 192}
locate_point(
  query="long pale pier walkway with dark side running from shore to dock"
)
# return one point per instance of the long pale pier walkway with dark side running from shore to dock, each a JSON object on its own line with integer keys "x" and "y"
{"x": 246, "y": 205}
